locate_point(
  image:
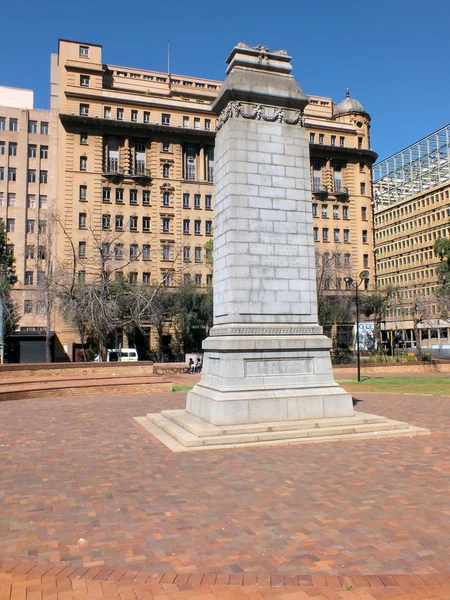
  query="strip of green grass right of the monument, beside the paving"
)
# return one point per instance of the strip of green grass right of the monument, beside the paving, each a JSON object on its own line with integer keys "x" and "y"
{"x": 431, "y": 384}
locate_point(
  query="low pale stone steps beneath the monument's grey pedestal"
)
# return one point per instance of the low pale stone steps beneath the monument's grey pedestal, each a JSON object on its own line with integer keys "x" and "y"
{"x": 182, "y": 431}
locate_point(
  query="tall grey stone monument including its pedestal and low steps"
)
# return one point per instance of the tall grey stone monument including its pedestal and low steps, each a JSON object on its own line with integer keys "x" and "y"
{"x": 267, "y": 375}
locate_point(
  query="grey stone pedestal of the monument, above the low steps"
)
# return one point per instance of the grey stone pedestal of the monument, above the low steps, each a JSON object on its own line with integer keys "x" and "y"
{"x": 264, "y": 378}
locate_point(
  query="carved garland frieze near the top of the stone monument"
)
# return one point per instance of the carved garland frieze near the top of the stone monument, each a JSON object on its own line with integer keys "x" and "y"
{"x": 259, "y": 112}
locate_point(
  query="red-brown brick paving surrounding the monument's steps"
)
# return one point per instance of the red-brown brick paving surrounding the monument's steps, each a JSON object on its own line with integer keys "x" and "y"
{"x": 84, "y": 486}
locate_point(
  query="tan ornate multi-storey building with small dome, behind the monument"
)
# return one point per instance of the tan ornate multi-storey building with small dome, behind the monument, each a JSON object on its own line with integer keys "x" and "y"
{"x": 135, "y": 167}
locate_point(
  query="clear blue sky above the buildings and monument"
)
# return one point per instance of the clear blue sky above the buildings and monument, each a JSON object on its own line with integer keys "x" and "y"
{"x": 392, "y": 54}
